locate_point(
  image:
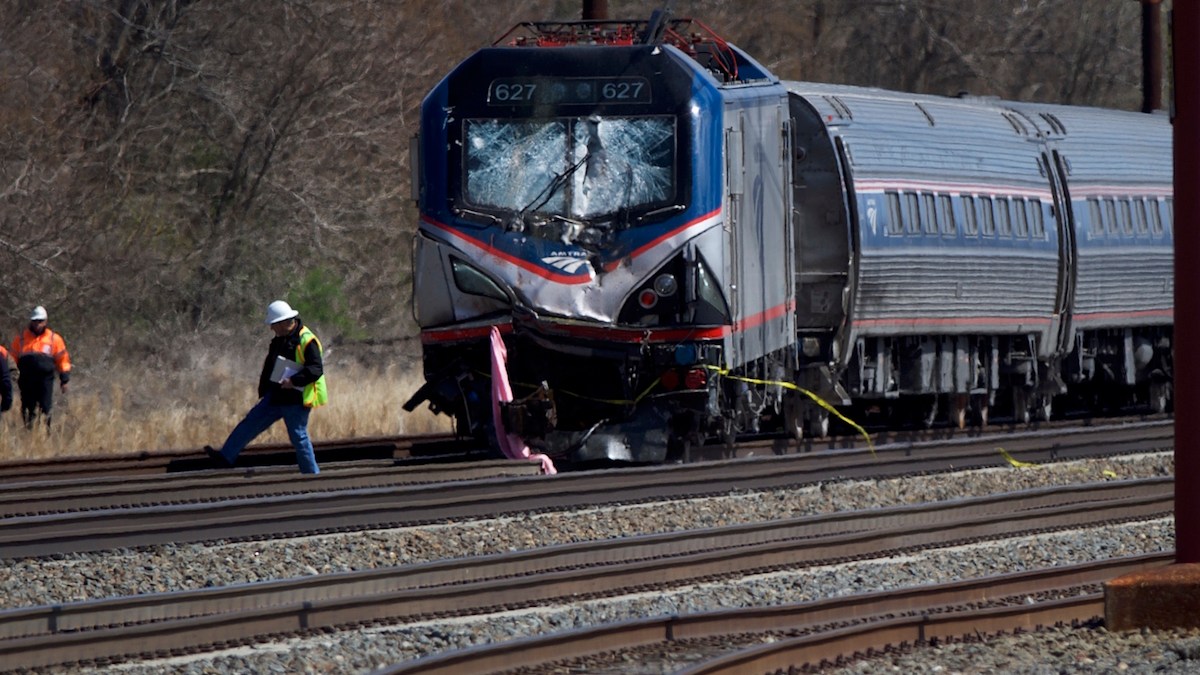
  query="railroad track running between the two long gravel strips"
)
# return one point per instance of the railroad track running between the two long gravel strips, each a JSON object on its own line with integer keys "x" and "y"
{"x": 106, "y": 631}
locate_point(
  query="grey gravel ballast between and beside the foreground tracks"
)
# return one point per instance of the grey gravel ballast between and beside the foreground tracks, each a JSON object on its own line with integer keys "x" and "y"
{"x": 93, "y": 576}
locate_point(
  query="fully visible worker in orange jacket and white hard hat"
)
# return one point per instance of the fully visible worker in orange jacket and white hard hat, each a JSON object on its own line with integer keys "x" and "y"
{"x": 40, "y": 354}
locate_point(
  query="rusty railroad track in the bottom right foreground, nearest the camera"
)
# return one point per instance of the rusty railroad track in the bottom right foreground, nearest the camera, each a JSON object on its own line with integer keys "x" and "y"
{"x": 791, "y": 638}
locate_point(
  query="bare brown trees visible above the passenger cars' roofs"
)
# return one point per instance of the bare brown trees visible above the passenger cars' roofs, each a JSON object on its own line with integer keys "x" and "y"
{"x": 1058, "y": 51}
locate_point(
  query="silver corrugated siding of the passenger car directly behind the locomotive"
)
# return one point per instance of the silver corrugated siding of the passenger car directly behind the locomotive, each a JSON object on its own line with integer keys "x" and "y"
{"x": 957, "y": 289}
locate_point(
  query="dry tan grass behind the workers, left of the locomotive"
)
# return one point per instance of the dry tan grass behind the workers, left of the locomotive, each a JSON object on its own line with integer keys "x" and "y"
{"x": 130, "y": 410}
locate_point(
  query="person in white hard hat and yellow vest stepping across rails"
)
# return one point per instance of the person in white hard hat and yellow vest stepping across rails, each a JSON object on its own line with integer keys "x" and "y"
{"x": 292, "y": 384}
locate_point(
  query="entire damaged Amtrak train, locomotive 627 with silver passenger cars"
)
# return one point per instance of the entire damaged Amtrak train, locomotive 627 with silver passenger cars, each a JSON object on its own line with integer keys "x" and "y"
{"x": 679, "y": 248}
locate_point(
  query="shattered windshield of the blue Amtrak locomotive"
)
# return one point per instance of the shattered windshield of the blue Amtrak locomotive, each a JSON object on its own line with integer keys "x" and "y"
{"x": 574, "y": 168}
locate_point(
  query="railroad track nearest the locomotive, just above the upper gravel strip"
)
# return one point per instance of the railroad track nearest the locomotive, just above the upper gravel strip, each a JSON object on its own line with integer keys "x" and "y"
{"x": 287, "y": 505}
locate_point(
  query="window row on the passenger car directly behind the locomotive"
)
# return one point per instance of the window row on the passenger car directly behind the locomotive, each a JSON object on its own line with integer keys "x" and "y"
{"x": 929, "y": 213}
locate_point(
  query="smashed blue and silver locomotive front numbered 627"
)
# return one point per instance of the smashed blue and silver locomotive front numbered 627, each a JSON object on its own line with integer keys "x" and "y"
{"x": 572, "y": 199}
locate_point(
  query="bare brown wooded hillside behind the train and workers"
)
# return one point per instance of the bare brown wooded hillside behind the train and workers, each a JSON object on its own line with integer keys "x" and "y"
{"x": 167, "y": 168}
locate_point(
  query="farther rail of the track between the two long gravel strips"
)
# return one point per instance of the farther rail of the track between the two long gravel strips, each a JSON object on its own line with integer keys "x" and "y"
{"x": 933, "y": 515}
